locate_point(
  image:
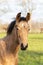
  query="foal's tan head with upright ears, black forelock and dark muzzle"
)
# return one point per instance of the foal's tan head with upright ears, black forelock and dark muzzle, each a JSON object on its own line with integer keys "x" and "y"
{"x": 22, "y": 28}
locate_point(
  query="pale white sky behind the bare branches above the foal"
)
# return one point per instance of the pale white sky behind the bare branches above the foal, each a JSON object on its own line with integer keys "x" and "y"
{"x": 12, "y": 7}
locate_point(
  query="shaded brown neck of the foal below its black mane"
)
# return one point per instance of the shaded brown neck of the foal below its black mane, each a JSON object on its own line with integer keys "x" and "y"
{"x": 12, "y": 41}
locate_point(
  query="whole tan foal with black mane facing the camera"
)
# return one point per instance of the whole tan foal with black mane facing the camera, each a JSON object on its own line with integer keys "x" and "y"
{"x": 16, "y": 38}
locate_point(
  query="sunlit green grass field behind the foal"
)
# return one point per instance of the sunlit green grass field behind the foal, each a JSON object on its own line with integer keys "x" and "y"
{"x": 34, "y": 54}
